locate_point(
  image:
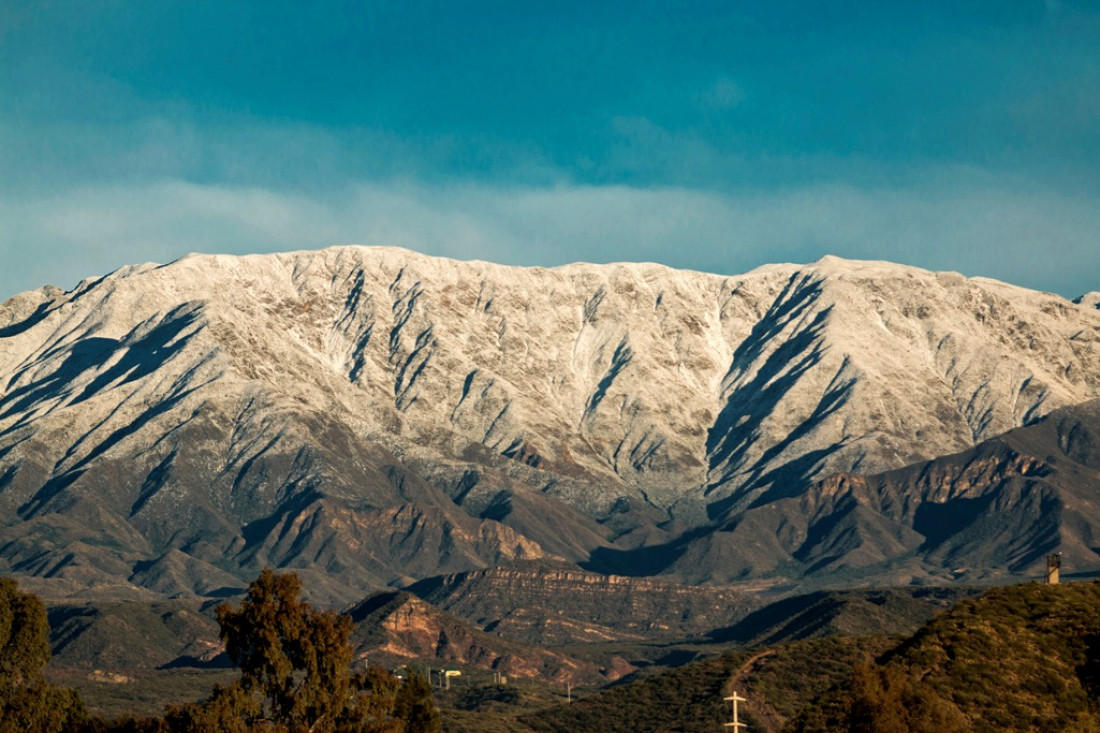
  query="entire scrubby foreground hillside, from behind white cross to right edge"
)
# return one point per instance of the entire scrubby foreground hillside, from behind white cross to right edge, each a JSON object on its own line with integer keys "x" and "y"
{"x": 1018, "y": 659}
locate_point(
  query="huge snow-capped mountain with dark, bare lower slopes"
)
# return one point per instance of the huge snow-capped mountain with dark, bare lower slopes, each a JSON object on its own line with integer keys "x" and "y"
{"x": 371, "y": 417}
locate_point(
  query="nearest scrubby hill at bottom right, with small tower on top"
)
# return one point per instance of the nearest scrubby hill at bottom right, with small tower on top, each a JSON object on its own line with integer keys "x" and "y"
{"x": 1019, "y": 659}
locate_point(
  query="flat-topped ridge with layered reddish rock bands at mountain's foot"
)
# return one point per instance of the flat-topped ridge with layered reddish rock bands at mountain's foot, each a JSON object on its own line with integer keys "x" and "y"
{"x": 541, "y": 603}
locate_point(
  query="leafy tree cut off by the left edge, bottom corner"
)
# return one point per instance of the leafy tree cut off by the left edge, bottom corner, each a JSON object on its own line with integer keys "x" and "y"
{"x": 28, "y": 704}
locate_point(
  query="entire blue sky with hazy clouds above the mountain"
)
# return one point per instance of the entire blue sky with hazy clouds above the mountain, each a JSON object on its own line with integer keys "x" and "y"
{"x": 718, "y": 137}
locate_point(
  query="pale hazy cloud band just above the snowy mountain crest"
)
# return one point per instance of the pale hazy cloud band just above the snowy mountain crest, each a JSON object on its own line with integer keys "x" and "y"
{"x": 1037, "y": 239}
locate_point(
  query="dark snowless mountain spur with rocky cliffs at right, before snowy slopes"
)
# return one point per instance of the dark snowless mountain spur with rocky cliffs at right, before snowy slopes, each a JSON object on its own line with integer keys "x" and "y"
{"x": 994, "y": 511}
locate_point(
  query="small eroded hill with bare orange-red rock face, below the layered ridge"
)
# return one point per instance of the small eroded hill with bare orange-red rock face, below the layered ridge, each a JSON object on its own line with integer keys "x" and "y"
{"x": 397, "y": 629}
